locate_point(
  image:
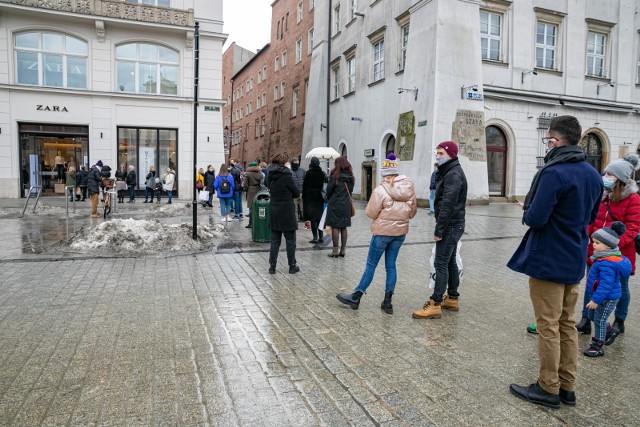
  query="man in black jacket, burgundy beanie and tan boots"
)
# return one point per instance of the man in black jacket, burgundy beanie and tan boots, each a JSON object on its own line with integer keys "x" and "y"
{"x": 450, "y": 201}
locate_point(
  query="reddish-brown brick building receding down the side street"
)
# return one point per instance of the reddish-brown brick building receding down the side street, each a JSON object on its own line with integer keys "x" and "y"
{"x": 266, "y": 97}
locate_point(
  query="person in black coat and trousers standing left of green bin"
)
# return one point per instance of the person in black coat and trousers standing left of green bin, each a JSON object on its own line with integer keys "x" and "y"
{"x": 282, "y": 217}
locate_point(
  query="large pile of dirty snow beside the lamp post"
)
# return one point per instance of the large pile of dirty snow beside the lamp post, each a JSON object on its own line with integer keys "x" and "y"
{"x": 143, "y": 236}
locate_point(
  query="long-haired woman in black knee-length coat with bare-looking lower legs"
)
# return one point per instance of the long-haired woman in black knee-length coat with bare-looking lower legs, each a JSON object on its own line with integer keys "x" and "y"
{"x": 341, "y": 182}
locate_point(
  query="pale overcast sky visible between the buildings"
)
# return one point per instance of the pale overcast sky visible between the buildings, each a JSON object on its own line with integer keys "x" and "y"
{"x": 247, "y": 22}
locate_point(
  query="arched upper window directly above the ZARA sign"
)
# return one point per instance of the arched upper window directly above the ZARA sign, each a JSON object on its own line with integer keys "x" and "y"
{"x": 51, "y": 59}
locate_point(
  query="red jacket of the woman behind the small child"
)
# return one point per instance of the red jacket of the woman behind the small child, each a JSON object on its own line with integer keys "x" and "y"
{"x": 627, "y": 210}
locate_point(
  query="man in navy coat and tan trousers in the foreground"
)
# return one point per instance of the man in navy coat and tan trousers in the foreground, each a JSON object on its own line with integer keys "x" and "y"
{"x": 563, "y": 199}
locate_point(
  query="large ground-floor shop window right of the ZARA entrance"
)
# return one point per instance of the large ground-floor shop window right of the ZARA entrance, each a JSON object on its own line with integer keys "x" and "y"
{"x": 144, "y": 147}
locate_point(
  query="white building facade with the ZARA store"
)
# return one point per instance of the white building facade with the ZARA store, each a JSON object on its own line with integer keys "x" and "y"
{"x": 110, "y": 80}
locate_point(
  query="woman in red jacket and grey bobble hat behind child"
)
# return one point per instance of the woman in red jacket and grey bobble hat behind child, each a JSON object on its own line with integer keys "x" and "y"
{"x": 621, "y": 202}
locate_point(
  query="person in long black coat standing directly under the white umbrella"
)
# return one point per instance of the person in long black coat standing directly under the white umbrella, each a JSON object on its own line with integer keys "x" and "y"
{"x": 313, "y": 205}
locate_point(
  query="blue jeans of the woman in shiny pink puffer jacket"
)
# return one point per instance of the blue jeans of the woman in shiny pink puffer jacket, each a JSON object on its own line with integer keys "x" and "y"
{"x": 390, "y": 246}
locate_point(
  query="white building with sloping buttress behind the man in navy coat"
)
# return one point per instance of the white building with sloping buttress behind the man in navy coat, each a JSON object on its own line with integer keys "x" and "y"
{"x": 406, "y": 75}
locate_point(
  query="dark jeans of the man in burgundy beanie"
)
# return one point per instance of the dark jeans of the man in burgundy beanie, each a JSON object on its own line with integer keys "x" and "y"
{"x": 447, "y": 274}
